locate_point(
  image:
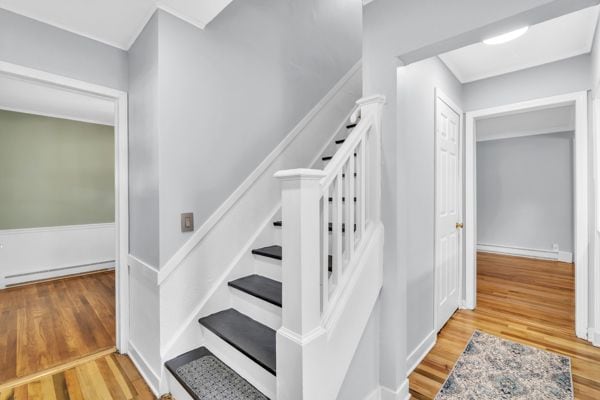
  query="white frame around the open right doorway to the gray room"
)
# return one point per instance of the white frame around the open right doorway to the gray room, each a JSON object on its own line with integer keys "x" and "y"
{"x": 580, "y": 101}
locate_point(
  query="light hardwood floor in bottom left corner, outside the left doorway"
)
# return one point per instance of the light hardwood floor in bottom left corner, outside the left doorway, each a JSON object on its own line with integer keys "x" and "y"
{"x": 110, "y": 377}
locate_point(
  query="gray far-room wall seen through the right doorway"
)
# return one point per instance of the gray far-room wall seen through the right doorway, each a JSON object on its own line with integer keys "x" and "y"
{"x": 525, "y": 192}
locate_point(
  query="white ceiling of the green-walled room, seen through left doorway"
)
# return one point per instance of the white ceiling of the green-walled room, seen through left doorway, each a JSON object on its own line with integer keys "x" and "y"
{"x": 34, "y": 98}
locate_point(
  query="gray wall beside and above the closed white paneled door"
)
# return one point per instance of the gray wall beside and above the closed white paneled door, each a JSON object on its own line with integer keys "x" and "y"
{"x": 416, "y": 110}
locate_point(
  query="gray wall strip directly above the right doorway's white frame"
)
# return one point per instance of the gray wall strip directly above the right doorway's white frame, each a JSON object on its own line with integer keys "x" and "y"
{"x": 560, "y": 77}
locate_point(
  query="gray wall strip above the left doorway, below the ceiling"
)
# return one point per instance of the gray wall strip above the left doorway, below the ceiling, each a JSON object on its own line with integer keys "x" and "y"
{"x": 34, "y": 44}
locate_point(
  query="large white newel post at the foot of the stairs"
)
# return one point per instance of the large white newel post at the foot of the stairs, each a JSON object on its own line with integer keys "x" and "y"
{"x": 301, "y": 314}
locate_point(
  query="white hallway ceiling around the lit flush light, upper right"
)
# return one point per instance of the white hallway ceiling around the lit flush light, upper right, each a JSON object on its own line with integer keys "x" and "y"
{"x": 556, "y": 39}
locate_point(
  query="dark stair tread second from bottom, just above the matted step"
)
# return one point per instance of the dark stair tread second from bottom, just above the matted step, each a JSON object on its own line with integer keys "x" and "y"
{"x": 250, "y": 337}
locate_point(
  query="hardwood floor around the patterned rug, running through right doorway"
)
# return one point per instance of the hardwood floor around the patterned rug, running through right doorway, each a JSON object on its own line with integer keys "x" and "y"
{"x": 524, "y": 300}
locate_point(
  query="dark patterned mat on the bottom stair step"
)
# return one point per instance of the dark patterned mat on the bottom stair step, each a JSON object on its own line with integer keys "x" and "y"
{"x": 210, "y": 379}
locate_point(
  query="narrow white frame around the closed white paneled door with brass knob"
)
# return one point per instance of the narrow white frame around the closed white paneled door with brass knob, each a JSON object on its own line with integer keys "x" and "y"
{"x": 446, "y": 99}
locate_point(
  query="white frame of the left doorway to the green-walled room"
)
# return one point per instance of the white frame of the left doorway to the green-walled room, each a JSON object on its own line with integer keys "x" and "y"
{"x": 121, "y": 178}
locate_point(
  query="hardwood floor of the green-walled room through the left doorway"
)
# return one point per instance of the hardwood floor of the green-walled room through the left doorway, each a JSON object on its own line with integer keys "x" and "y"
{"x": 46, "y": 324}
